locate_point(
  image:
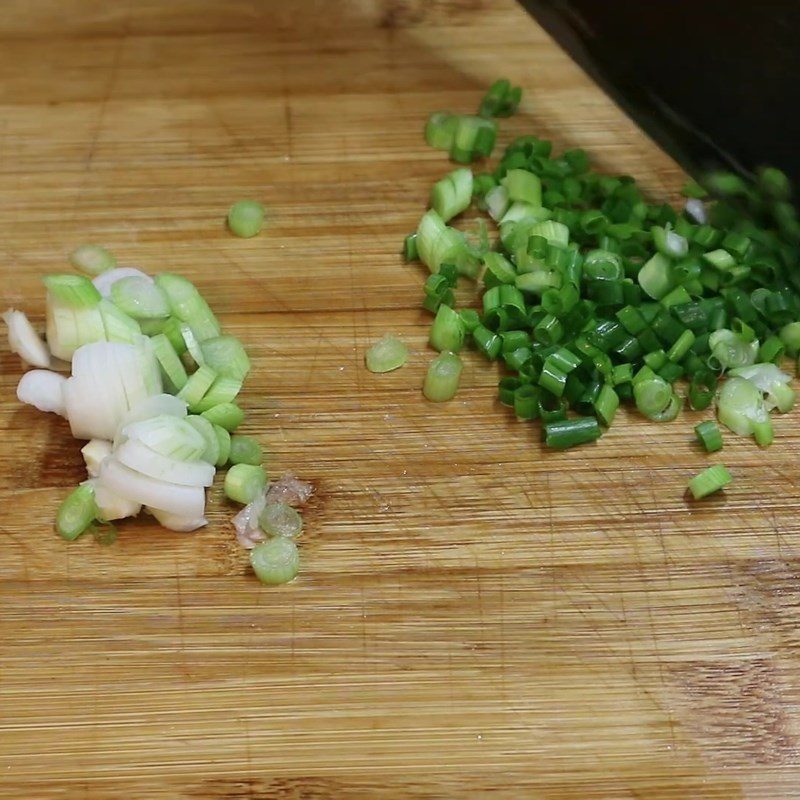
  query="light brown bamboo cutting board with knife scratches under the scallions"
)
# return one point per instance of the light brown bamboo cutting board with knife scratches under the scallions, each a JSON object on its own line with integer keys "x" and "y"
{"x": 475, "y": 617}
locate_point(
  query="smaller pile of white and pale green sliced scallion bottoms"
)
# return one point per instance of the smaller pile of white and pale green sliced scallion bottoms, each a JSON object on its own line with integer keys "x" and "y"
{"x": 153, "y": 388}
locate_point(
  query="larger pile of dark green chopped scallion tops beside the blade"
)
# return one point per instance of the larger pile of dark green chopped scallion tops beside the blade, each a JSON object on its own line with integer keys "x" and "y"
{"x": 592, "y": 295}
